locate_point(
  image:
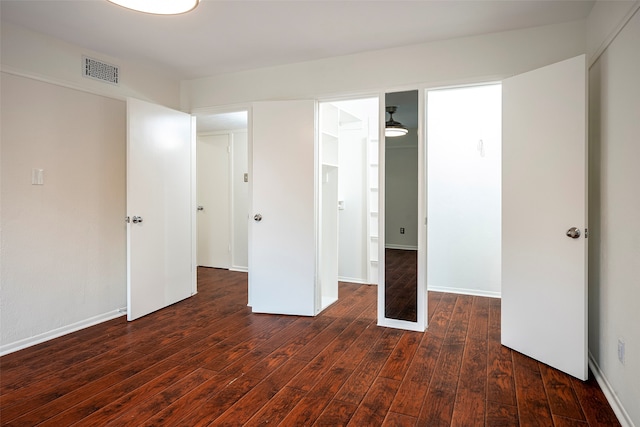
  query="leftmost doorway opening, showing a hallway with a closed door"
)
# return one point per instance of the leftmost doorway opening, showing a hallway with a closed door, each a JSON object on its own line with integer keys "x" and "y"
{"x": 222, "y": 190}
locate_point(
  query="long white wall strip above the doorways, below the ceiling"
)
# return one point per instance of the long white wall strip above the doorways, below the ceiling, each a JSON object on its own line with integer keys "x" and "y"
{"x": 460, "y": 60}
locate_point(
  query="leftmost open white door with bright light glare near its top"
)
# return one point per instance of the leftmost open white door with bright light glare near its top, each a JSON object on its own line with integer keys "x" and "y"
{"x": 160, "y": 249}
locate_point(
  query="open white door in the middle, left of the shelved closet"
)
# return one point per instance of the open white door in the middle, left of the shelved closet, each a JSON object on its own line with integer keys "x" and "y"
{"x": 282, "y": 245}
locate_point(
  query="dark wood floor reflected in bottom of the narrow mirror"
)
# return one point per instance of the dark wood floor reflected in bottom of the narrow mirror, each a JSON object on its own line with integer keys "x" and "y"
{"x": 401, "y": 279}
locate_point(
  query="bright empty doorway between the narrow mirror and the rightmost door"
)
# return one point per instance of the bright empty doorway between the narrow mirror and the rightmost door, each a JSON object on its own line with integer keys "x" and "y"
{"x": 464, "y": 189}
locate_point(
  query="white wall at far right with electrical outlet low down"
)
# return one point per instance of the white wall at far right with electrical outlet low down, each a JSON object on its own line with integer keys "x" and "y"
{"x": 614, "y": 212}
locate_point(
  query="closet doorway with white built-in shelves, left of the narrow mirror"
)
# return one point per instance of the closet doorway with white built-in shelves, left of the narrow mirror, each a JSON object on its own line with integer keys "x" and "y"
{"x": 349, "y": 190}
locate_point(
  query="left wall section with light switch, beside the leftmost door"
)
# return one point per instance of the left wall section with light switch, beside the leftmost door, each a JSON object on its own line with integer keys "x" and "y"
{"x": 63, "y": 243}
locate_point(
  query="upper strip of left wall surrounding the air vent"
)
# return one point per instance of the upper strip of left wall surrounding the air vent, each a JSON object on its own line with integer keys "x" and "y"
{"x": 28, "y": 53}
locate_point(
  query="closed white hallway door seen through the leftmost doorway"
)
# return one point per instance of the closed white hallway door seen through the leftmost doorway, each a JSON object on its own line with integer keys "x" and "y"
{"x": 214, "y": 201}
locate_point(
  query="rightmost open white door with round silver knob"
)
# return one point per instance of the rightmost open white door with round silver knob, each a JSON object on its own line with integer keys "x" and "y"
{"x": 544, "y": 287}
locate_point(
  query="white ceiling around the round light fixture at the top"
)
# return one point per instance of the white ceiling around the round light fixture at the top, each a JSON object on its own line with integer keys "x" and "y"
{"x": 226, "y": 36}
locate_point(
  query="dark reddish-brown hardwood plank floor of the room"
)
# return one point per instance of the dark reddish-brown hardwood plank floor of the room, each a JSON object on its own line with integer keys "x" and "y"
{"x": 209, "y": 361}
